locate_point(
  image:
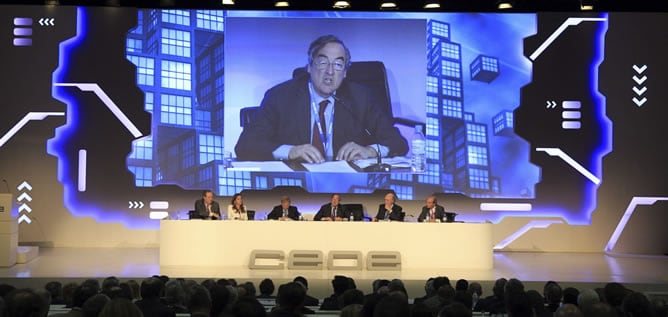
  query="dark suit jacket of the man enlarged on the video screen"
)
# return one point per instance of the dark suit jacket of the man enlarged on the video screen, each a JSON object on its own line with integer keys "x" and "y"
{"x": 284, "y": 117}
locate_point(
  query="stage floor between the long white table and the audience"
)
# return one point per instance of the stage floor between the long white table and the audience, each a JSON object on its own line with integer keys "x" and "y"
{"x": 533, "y": 268}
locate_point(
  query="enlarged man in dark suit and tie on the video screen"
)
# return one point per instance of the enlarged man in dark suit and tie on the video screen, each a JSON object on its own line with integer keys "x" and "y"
{"x": 321, "y": 116}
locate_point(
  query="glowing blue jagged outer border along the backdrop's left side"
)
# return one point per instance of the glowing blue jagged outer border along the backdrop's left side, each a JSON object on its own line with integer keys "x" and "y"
{"x": 54, "y": 145}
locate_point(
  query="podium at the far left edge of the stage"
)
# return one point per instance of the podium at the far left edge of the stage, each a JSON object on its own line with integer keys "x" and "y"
{"x": 9, "y": 232}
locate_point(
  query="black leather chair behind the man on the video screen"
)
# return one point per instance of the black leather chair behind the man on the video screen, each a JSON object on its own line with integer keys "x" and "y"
{"x": 371, "y": 74}
